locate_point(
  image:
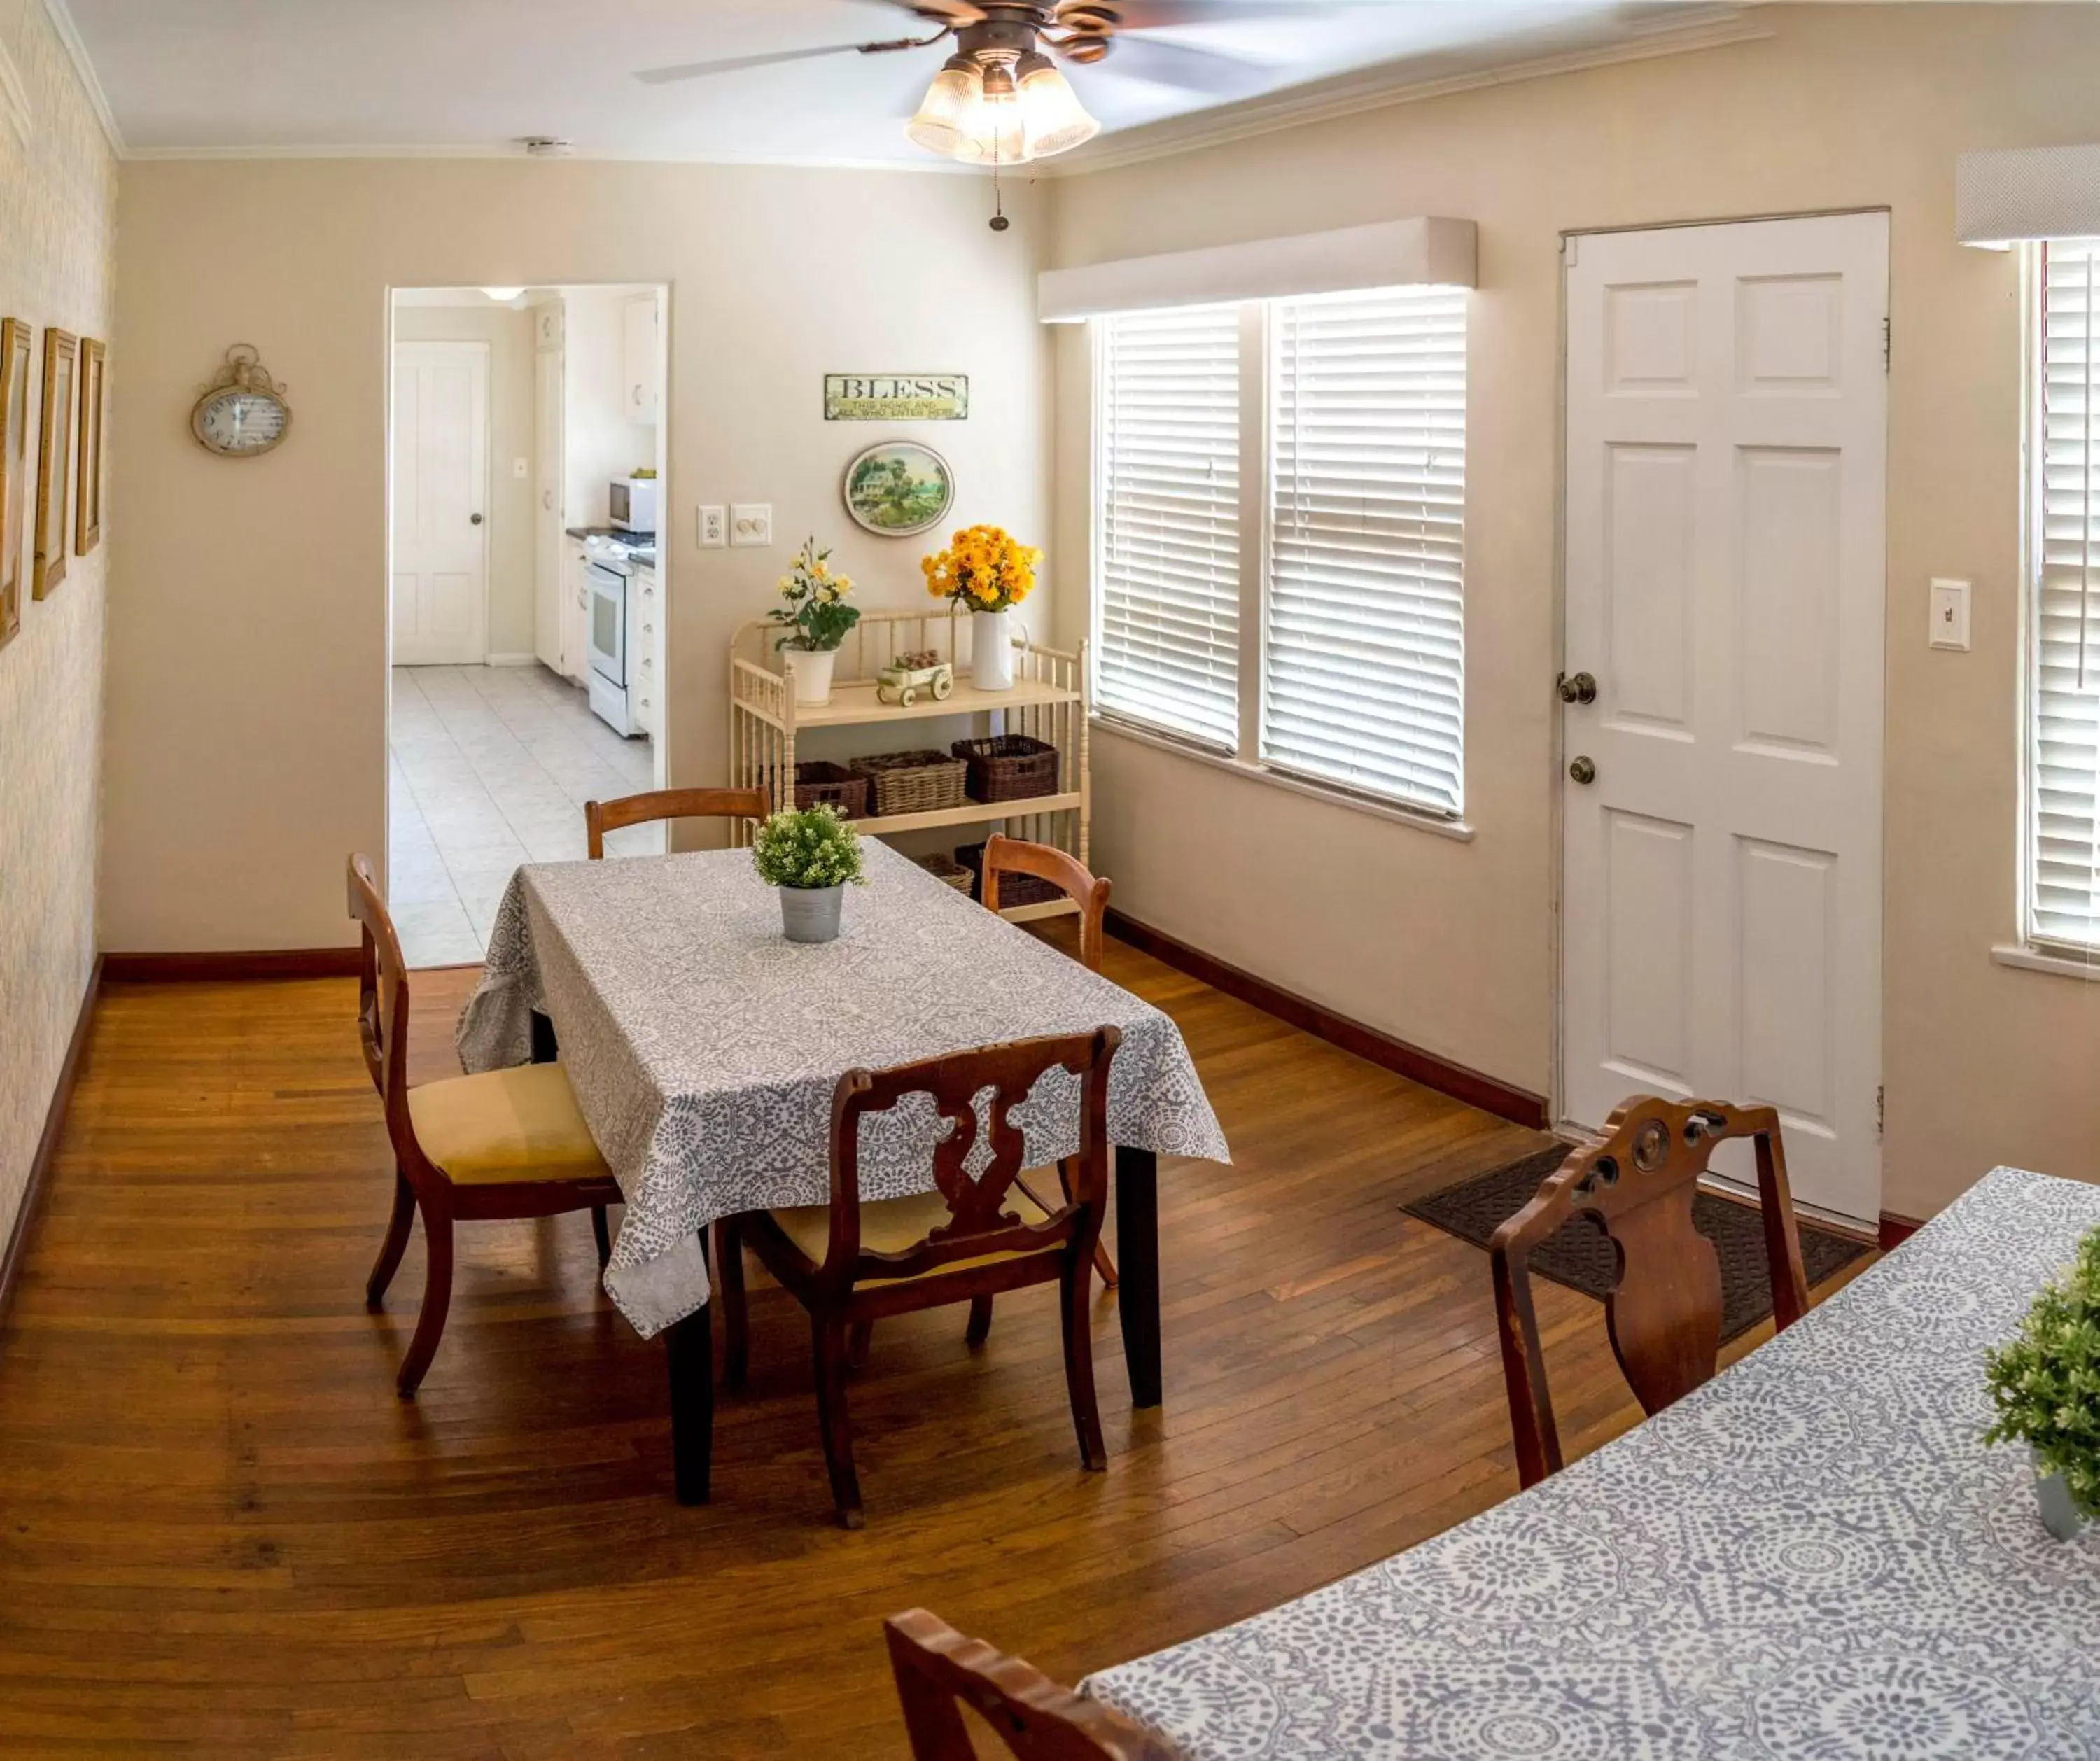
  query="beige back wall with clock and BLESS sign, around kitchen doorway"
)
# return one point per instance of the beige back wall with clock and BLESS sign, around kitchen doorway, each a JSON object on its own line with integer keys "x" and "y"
{"x": 249, "y": 608}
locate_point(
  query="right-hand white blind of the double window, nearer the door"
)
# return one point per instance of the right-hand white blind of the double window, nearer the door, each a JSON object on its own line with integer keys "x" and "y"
{"x": 1366, "y": 559}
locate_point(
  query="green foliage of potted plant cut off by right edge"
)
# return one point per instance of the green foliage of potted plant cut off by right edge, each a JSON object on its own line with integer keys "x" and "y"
{"x": 2046, "y": 1384}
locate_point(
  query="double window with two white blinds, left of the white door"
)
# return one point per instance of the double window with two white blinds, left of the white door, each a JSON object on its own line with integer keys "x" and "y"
{"x": 1356, "y": 574}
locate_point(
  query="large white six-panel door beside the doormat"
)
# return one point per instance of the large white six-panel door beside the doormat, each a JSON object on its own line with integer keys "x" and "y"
{"x": 1725, "y": 585}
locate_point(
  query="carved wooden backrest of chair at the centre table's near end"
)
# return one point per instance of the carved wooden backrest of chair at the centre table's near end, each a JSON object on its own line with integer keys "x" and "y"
{"x": 980, "y": 1221}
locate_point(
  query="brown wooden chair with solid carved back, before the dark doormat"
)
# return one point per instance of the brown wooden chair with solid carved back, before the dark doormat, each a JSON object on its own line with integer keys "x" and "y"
{"x": 1664, "y": 1313}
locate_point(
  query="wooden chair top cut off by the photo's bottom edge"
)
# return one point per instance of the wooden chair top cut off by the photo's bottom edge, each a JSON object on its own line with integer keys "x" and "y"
{"x": 940, "y": 1672}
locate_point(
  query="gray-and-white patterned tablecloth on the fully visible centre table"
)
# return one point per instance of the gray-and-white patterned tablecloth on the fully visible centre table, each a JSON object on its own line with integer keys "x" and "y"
{"x": 705, "y": 1046}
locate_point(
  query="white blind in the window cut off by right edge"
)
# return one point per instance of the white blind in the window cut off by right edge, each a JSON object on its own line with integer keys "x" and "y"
{"x": 2065, "y": 704}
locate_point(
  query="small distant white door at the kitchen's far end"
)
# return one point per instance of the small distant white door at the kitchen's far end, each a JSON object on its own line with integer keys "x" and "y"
{"x": 440, "y": 503}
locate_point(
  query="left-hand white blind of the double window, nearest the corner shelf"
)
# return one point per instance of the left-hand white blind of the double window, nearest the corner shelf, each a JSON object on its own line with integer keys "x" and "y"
{"x": 1169, "y": 547}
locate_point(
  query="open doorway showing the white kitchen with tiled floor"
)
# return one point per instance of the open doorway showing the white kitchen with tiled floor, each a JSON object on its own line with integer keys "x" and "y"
{"x": 528, "y": 635}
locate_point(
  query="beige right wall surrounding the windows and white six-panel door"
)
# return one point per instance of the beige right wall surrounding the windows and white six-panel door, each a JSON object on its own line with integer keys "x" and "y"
{"x": 1450, "y": 946}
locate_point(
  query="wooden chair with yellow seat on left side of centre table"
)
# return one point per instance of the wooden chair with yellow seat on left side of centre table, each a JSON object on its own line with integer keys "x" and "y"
{"x": 467, "y": 1149}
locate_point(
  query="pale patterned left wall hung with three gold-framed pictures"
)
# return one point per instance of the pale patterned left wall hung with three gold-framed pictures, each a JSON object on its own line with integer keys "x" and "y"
{"x": 58, "y": 215}
